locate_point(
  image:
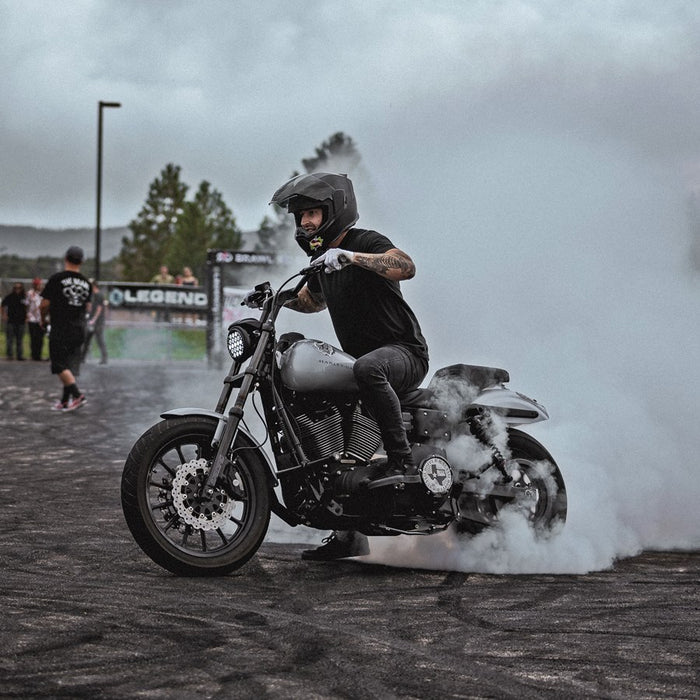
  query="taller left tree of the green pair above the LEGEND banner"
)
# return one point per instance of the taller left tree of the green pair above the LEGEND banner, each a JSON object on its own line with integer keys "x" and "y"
{"x": 153, "y": 230}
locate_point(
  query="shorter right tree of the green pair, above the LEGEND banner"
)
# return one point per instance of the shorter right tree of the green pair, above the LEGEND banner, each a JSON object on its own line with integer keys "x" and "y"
{"x": 205, "y": 222}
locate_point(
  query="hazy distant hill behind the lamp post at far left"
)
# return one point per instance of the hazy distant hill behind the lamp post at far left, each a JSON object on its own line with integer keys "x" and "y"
{"x": 31, "y": 242}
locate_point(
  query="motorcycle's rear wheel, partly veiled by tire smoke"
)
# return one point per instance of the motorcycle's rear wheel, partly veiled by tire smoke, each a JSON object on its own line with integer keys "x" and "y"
{"x": 537, "y": 481}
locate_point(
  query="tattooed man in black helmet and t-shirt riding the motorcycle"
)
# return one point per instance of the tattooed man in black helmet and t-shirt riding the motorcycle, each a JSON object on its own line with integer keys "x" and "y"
{"x": 371, "y": 319}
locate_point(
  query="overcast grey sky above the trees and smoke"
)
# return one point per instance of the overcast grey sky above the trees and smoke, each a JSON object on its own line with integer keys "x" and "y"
{"x": 237, "y": 92}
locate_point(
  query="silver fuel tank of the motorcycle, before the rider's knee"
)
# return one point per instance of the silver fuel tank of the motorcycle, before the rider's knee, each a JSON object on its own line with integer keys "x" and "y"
{"x": 312, "y": 365}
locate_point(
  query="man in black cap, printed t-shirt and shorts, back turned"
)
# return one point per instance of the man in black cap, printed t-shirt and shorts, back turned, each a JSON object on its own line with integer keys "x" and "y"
{"x": 65, "y": 299}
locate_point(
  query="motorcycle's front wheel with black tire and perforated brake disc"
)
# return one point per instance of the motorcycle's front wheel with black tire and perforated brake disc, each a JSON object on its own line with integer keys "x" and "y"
{"x": 180, "y": 528}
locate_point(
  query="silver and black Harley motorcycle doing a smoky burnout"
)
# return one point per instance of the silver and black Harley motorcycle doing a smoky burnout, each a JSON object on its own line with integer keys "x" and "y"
{"x": 198, "y": 488}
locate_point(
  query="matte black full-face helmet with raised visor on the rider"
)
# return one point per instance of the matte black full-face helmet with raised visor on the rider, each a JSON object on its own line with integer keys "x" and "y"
{"x": 331, "y": 193}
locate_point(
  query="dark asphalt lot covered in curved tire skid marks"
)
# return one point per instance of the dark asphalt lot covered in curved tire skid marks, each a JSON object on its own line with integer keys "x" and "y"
{"x": 85, "y": 614}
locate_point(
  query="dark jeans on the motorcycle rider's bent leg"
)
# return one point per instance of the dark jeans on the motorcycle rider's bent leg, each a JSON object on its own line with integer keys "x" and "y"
{"x": 382, "y": 376}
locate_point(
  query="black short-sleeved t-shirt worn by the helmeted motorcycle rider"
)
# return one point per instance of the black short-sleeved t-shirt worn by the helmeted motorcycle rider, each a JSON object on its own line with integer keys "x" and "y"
{"x": 367, "y": 310}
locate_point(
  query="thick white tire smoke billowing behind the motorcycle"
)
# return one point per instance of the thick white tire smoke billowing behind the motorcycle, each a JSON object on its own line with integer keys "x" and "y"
{"x": 578, "y": 282}
